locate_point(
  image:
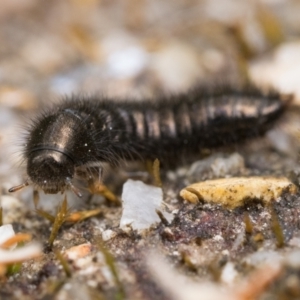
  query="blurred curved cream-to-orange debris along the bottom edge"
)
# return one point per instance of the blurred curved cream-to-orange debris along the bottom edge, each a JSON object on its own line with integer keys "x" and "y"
{"x": 178, "y": 287}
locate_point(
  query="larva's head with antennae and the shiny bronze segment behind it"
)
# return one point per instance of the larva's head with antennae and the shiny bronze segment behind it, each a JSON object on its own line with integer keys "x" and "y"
{"x": 51, "y": 150}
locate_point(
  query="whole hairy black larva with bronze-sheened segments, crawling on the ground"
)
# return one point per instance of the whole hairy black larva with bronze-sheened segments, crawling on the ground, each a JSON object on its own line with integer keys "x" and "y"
{"x": 75, "y": 137}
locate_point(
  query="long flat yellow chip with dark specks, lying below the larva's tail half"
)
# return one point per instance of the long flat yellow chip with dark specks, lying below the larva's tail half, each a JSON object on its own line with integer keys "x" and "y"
{"x": 234, "y": 192}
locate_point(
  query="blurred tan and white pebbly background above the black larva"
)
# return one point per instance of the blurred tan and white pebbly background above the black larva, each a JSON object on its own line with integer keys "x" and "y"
{"x": 136, "y": 49}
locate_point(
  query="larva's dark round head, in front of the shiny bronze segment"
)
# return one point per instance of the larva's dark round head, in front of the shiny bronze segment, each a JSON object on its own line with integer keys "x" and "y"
{"x": 50, "y": 170}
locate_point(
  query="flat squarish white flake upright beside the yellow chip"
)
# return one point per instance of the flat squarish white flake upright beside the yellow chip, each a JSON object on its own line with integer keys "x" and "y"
{"x": 140, "y": 205}
